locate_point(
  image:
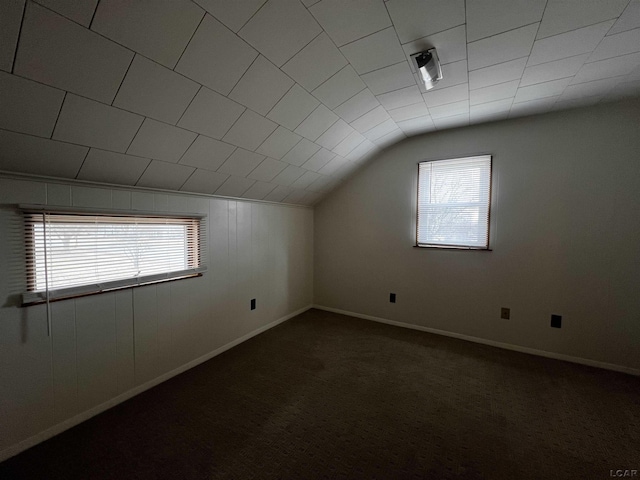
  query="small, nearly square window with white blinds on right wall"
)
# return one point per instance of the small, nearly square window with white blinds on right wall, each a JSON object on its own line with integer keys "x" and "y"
{"x": 454, "y": 199}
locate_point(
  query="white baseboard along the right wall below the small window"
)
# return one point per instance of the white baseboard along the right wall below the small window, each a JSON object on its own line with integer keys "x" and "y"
{"x": 506, "y": 346}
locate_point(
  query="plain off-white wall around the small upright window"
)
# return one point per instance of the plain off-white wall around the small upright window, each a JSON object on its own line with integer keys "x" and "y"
{"x": 565, "y": 235}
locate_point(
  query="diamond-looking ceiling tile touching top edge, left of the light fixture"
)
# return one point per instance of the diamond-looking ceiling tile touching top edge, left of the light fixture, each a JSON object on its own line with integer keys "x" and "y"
{"x": 280, "y": 29}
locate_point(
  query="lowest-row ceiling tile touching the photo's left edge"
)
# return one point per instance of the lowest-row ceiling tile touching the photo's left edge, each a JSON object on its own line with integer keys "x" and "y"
{"x": 29, "y": 154}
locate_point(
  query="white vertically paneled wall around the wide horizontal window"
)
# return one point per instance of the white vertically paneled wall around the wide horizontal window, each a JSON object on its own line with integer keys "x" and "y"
{"x": 105, "y": 347}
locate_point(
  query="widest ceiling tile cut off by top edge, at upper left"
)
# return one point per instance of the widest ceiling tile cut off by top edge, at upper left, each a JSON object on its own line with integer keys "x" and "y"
{"x": 157, "y": 30}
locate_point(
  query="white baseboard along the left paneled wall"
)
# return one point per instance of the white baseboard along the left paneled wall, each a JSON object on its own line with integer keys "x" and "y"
{"x": 92, "y": 412}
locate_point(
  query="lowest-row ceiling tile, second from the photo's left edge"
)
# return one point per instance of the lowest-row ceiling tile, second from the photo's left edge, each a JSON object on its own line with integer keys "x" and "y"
{"x": 111, "y": 167}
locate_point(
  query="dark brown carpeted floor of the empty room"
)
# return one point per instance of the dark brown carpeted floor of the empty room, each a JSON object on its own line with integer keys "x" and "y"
{"x": 330, "y": 396}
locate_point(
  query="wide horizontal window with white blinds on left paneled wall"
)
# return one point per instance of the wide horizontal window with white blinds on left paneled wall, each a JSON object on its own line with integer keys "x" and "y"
{"x": 71, "y": 254}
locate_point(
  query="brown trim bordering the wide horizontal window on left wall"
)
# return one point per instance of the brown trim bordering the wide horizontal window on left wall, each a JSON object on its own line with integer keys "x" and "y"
{"x": 34, "y": 297}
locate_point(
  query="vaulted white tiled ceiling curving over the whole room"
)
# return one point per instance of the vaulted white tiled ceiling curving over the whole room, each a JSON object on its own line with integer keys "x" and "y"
{"x": 282, "y": 99}
